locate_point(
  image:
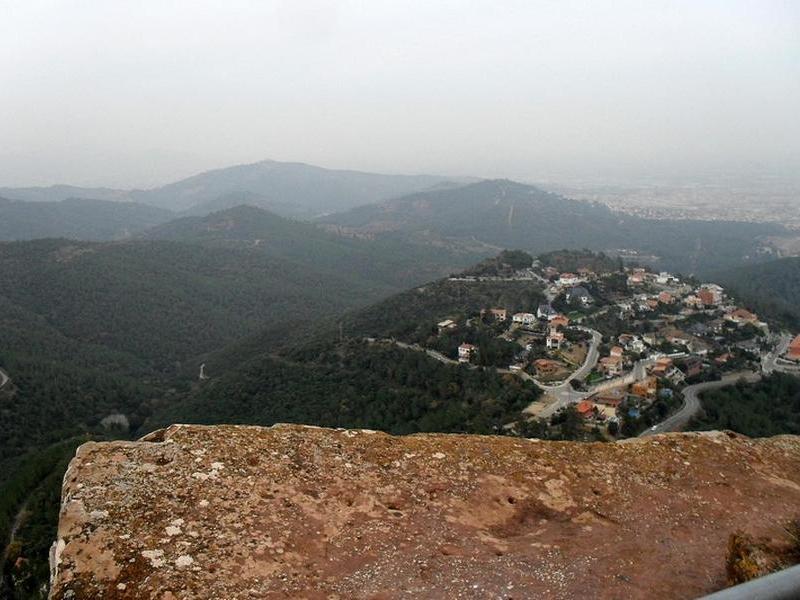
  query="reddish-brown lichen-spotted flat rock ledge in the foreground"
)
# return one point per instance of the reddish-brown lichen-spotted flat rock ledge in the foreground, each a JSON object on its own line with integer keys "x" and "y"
{"x": 291, "y": 511}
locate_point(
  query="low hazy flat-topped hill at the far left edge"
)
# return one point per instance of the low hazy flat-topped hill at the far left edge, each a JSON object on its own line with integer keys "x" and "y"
{"x": 76, "y": 218}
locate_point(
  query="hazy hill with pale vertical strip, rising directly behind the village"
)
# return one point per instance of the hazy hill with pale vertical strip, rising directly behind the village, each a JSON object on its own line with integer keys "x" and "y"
{"x": 512, "y": 215}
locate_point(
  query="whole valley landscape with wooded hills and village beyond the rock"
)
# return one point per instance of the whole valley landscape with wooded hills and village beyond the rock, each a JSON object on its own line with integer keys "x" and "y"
{"x": 404, "y": 316}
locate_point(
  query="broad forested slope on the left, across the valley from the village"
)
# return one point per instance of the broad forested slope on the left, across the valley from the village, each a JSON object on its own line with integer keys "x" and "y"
{"x": 89, "y": 330}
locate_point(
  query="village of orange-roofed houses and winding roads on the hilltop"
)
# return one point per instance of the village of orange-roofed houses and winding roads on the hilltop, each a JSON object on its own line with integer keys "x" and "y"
{"x": 612, "y": 348}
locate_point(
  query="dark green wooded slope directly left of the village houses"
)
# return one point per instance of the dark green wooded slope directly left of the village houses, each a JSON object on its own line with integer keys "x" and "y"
{"x": 333, "y": 376}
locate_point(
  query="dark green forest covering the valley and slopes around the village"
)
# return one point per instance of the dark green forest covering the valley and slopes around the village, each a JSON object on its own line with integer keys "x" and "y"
{"x": 105, "y": 340}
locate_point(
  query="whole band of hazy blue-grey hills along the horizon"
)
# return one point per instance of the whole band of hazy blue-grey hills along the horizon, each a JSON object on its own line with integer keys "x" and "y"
{"x": 420, "y": 213}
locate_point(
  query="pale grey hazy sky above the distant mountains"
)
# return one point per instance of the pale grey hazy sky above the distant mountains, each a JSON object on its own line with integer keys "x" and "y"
{"x": 139, "y": 93}
